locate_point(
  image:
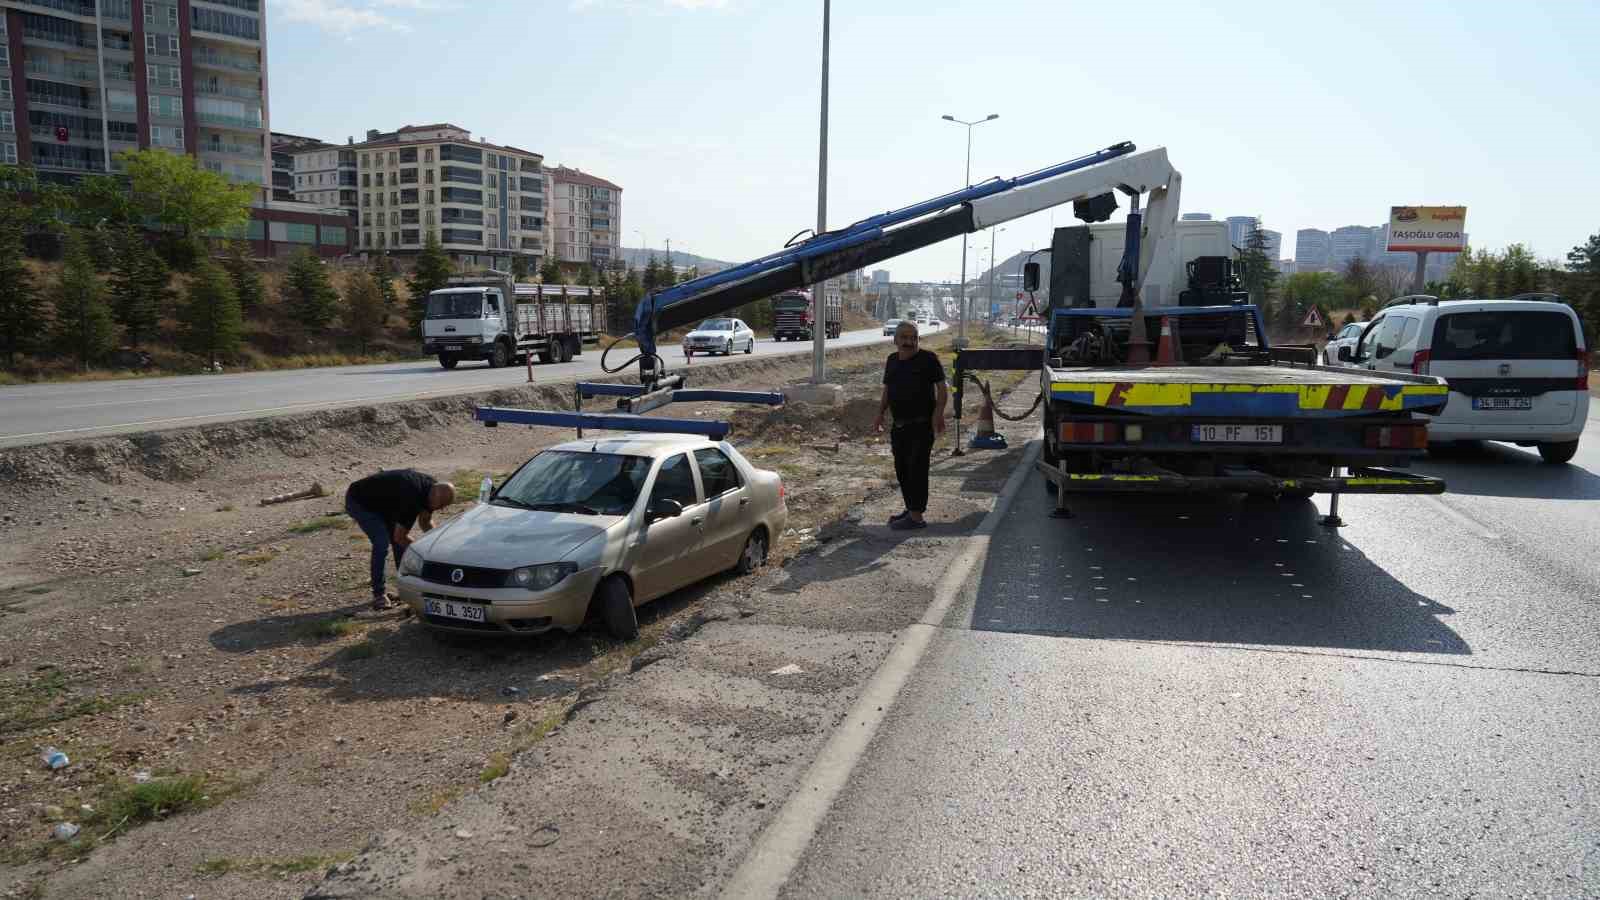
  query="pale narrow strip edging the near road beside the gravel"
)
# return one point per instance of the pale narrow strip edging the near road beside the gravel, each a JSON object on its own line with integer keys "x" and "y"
{"x": 783, "y": 843}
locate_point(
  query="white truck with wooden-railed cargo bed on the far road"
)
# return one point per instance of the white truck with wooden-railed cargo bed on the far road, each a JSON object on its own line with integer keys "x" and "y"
{"x": 497, "y": 319}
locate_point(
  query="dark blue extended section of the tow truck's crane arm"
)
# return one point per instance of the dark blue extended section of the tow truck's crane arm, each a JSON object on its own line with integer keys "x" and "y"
{"x": 830, "y": 255}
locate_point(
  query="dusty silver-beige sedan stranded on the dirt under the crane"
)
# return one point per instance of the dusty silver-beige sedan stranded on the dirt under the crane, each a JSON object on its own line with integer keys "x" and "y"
{"x": 594, "y": 526}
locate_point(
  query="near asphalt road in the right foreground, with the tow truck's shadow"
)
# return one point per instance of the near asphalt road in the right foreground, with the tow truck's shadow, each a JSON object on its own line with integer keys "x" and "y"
{"x": 1220, "y": 697}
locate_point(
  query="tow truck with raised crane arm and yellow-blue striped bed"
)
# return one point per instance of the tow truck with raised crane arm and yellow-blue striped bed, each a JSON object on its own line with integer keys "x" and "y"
{"x": 1242, "y": 417}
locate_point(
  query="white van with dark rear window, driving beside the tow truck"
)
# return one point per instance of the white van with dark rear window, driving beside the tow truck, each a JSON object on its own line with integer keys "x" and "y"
{"x": 1518, "y": 369}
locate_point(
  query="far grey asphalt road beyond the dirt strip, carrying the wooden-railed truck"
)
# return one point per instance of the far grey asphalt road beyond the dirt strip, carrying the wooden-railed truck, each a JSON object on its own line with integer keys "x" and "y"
{"x": 38, "y": 414}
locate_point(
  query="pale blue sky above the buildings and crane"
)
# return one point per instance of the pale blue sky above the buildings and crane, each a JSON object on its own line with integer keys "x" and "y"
{"x": 706, "y": 111}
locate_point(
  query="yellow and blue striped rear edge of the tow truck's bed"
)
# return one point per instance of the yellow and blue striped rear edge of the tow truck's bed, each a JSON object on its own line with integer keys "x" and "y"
{"x": 1255, "y": 401}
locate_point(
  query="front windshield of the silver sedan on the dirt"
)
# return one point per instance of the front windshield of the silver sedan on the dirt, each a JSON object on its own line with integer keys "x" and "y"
{"x": 569, "y": 481}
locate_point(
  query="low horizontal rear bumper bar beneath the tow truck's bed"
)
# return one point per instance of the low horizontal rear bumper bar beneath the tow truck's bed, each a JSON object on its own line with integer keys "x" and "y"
{"x": 1359, "y": 481}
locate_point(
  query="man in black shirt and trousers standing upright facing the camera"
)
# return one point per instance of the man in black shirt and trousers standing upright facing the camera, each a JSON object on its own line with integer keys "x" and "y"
{"x": 914, "y": 392}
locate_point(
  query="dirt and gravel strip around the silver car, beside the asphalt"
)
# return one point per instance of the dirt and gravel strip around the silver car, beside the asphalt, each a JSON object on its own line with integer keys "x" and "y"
{"x": 159, "y": 622}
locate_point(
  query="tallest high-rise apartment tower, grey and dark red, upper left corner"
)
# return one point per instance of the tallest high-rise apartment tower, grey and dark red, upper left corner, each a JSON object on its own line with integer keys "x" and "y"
{"x": 82, "y": 81}
